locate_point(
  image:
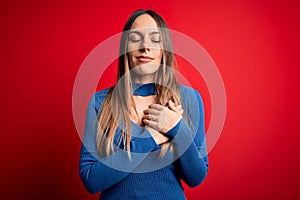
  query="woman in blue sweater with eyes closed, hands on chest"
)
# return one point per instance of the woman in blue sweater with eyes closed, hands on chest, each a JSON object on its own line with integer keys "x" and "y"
{"x": 145, "y": 134}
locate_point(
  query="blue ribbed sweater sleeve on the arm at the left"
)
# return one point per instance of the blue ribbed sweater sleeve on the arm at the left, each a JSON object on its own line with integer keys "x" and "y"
{"x": 99, "y": 173}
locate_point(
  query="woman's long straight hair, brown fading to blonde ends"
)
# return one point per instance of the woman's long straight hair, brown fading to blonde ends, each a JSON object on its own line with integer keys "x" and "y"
{"x": 117, "y": 106}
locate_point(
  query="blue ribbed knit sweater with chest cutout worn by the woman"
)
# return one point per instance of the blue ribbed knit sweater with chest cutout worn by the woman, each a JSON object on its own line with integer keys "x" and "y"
{"x": 145, "y": 175}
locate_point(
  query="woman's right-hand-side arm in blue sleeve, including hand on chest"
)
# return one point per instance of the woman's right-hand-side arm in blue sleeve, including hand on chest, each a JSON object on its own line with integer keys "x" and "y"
{"x": 188, "y": 140}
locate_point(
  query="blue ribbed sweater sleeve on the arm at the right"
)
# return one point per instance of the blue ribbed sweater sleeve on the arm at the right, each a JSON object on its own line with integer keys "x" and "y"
{"x": 189, "y": 140}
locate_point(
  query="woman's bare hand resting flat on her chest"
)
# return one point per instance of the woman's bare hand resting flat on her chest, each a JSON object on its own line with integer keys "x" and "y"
{"x": 162, "y": 118}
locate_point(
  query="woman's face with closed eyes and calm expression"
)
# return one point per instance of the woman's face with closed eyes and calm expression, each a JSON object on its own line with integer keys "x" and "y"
{"x": 144, "y": 47}
